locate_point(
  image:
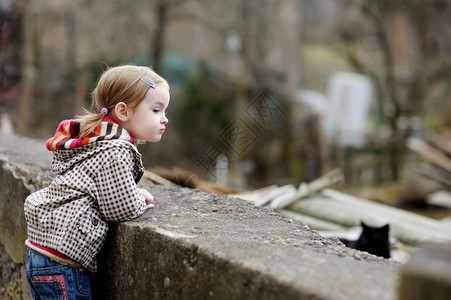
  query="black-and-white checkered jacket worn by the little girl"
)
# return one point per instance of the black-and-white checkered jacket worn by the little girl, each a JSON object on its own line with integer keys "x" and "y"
{"x": 95, "y": 184}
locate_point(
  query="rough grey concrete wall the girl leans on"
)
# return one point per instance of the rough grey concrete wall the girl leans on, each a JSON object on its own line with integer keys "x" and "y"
{"x": 195, "y": 245}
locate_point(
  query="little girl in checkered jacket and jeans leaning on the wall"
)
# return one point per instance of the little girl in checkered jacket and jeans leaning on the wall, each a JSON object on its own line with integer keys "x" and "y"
{"x": 97, "y": 169}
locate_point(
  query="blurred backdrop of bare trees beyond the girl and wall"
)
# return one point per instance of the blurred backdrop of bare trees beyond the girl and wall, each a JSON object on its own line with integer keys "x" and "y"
{"x": 262, "y": 91}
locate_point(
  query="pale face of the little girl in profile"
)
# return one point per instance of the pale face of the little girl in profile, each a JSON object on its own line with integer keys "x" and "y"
{"x": 147, "y": 120}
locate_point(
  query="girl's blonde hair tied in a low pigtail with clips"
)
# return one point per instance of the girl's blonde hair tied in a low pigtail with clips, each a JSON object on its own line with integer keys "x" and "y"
{"x": 118, "y": 84}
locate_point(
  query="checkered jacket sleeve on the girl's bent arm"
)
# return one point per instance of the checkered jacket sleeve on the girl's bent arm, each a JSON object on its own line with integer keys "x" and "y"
{"x": 118, "y": 196}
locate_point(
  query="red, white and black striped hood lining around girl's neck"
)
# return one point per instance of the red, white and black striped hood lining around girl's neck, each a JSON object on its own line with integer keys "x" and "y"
{"x": 66, "y": 136}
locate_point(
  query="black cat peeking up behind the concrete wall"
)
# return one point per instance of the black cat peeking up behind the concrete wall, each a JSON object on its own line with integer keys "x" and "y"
{"x": 374, "y": 240}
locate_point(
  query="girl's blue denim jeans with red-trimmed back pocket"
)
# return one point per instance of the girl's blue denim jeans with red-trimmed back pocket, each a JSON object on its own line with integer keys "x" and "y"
{"x": 51, "y": 280}
